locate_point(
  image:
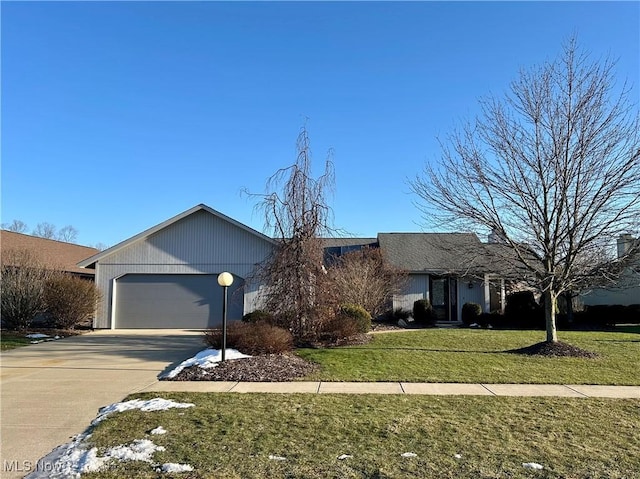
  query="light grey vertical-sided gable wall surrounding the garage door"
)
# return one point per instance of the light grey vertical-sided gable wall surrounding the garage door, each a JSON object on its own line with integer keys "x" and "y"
{"x": 198, "y": 243}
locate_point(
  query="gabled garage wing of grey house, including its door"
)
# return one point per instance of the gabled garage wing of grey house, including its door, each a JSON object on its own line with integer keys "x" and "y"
{"x": 166, "y": 276}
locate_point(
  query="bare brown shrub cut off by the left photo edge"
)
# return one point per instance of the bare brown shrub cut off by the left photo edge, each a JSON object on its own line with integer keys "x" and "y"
{"x": 23, "y": 287}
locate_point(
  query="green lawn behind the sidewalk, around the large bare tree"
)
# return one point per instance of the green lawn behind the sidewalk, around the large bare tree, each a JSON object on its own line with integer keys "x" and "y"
{"x": 479, "y": 356}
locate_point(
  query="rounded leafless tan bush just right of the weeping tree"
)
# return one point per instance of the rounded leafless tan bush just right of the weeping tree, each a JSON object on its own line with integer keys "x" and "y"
{"x": 366, "y": 279}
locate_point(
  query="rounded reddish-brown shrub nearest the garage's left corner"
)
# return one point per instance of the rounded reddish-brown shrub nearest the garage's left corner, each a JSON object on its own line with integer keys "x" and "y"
{"x": 70, "y": 300}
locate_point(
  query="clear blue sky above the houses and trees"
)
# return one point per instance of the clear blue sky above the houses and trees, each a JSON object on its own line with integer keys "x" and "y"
{"x": 119, "y": 115}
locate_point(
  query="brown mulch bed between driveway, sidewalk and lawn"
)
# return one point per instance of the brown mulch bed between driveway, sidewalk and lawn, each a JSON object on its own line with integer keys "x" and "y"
{"x": 263, "y": 368}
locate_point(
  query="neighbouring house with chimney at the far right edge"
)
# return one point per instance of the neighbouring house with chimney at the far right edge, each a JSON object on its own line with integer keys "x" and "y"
{"x": 626, "y": 290}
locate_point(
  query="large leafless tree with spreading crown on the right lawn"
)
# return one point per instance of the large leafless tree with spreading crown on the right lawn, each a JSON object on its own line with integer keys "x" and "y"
{"x": 553, "y": 168}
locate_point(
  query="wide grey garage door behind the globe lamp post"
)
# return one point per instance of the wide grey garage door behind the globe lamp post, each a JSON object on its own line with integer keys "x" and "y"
{"x": 181, "y": 301}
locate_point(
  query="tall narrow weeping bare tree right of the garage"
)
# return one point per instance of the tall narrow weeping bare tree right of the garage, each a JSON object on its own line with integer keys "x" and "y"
{"x": 295, "y": 208}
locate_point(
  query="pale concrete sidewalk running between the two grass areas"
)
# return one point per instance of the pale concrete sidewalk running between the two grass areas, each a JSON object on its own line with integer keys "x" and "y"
{"x": 318, "y": 387}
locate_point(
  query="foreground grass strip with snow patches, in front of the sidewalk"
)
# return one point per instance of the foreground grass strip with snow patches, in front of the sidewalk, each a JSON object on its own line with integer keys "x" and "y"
{"x": 232, "y": 436}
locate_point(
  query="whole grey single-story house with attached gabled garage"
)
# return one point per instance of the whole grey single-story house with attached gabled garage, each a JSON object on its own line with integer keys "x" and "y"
{"x": 166, "y": 276}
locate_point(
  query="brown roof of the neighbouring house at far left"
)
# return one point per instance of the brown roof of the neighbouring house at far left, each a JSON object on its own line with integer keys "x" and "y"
{"x": 54, "y": 254}
